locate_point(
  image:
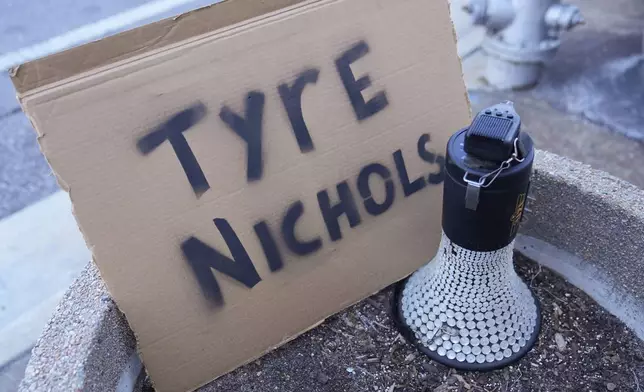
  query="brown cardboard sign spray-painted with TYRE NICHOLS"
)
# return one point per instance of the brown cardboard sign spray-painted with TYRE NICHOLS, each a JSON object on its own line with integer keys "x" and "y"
{"x": 136, "y": 209}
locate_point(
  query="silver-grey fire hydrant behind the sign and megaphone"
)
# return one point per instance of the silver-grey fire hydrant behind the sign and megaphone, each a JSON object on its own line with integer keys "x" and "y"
{"x": 522, "y": 36}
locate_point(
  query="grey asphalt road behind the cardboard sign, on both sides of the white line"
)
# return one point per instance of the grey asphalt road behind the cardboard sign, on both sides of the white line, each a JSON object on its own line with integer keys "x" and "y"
{"x": 24, "y": 175}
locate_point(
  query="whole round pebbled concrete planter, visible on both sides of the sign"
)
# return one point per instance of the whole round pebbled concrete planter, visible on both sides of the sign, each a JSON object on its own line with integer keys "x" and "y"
{"x": 585, "y": 224}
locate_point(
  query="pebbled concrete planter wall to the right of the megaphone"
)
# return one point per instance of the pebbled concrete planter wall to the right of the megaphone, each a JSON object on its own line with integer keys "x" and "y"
{"x": 592, "y": 215}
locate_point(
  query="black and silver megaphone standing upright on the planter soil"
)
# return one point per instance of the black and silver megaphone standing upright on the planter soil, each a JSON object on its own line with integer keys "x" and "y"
{"x": 467, "y": 308}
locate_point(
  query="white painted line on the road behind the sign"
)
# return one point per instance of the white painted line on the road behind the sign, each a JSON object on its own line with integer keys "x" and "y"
{"x": 89, "y": 32}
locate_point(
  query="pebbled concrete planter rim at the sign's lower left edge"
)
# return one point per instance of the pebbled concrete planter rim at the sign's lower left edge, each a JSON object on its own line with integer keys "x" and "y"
{"x": 85, "y": 345}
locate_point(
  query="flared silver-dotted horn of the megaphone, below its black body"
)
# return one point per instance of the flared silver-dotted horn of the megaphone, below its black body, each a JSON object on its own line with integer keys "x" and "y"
{"x": 468, "y": 310}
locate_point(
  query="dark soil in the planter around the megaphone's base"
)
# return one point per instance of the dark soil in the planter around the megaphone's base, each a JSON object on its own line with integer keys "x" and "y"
{"x": 581, "y": 348}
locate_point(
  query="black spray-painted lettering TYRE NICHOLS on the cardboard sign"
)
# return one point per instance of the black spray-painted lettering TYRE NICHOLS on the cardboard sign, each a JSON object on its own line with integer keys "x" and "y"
{"x": 248, "y": 127}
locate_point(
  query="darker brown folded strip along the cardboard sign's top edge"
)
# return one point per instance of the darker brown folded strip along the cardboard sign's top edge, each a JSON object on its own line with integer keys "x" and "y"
{"x": 125, "y": 45}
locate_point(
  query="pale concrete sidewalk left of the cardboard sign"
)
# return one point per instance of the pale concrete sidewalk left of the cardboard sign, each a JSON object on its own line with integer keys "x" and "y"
{"x": 41, "y": 253}
